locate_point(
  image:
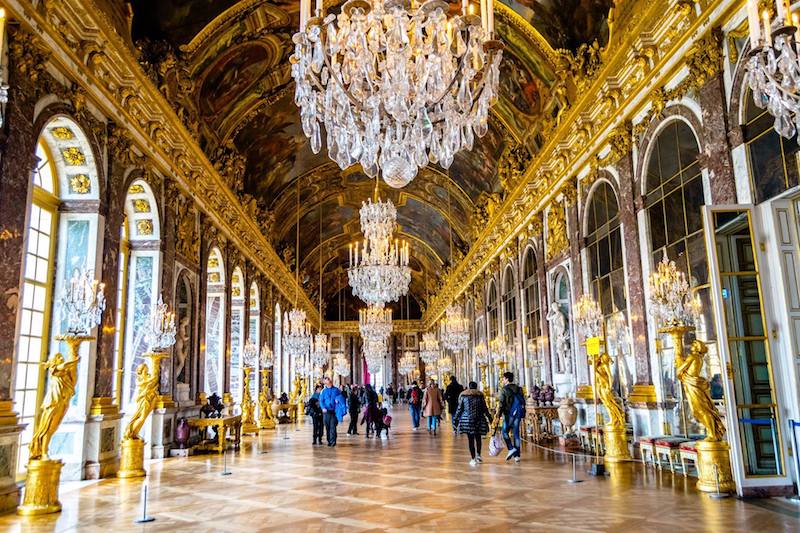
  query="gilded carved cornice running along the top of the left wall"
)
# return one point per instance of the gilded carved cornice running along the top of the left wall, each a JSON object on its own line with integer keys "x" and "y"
{"x": 86, "y": 49}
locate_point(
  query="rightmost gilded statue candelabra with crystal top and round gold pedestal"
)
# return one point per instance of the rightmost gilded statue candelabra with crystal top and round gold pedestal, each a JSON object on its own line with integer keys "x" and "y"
{"x": 676, "y": 312}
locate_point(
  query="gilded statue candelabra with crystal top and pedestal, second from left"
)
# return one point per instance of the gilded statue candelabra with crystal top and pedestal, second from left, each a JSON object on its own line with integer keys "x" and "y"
{"x": 160, "y": 336}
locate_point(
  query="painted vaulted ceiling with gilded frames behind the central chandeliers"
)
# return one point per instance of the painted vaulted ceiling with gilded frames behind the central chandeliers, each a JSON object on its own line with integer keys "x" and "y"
{"x": 225, "y": 66}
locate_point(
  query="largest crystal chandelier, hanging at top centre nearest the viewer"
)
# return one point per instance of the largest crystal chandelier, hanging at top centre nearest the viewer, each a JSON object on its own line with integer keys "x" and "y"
{"x": 396, "y": 84}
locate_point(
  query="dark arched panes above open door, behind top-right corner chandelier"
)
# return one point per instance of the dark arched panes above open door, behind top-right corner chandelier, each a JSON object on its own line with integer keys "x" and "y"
{"x": 773, "y": 158}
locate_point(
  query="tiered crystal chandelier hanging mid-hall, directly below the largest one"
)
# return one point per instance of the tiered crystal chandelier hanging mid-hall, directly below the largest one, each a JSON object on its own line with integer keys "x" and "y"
{"x": 379, "y": 271}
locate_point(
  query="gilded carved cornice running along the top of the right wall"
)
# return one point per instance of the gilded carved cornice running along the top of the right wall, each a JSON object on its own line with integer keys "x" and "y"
{"x": 642, "y": 58}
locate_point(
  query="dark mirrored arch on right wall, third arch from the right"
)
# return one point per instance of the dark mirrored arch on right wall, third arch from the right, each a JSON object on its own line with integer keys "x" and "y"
{"x": 604, "y": 255}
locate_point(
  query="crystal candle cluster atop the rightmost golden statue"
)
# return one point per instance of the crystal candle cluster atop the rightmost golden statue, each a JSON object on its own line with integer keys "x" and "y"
{"x": 670, "y": 301}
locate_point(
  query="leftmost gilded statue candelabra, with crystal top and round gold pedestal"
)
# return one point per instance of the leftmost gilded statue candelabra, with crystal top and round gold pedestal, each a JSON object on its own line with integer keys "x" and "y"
{"x": 82, "y": 305}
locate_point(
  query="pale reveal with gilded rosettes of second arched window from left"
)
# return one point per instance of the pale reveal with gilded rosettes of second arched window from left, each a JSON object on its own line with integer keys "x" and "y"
{"x": 142, "y": 279}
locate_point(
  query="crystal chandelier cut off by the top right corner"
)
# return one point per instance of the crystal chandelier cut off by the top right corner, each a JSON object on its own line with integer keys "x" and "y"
{"x": 773, "y": 67}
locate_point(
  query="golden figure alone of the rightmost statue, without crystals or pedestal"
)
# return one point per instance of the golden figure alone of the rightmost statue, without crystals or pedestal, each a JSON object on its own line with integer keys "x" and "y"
{"x": 698, "y": 391}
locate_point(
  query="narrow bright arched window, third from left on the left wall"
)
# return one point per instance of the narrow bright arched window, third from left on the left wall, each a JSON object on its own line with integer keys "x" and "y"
{"x": 215, "y": 323}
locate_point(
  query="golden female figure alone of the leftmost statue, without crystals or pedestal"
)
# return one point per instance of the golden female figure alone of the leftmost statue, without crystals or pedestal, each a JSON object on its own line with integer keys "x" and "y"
{"x": 60, "y": 388}
